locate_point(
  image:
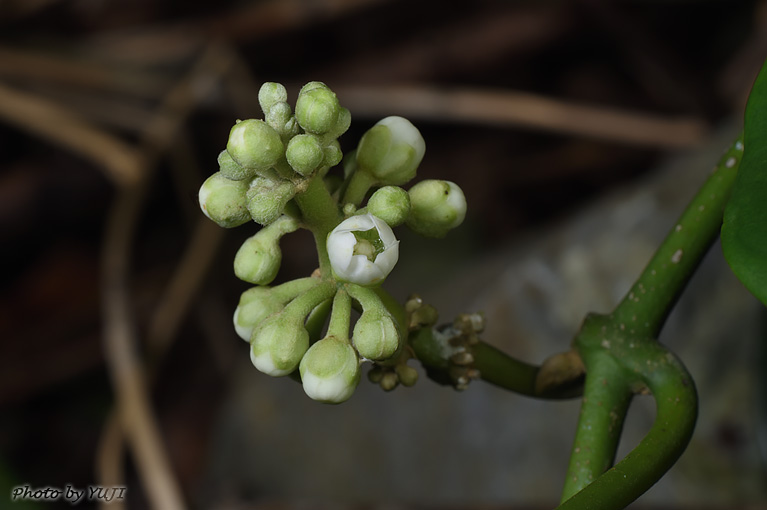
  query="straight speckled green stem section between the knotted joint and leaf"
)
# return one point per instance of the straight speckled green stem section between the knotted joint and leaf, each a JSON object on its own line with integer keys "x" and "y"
{"x": 648, "y": 303}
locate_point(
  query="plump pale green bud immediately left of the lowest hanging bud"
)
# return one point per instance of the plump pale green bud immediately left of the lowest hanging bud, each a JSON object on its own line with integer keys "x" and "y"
{"x": 278, "y": 344}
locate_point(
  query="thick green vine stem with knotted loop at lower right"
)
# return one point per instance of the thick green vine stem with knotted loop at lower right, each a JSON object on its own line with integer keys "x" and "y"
{"x": 621, "y": 351}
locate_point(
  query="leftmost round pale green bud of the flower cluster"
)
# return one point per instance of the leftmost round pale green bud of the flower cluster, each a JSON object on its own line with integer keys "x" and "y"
{"x": 224, "y": 200}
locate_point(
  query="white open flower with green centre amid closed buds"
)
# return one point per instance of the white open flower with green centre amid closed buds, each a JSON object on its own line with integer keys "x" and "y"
{"x": 362, "y": 250}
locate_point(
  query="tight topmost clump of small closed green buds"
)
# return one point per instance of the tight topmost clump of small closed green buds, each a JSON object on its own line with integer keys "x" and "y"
{"x": 268, "y": 162}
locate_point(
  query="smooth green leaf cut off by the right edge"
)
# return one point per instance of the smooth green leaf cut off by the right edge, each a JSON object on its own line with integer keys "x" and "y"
{"x": 744, "y": 229}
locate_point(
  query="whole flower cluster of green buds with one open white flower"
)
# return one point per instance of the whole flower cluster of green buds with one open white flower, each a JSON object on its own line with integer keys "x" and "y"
{"x": 277, "y": 171}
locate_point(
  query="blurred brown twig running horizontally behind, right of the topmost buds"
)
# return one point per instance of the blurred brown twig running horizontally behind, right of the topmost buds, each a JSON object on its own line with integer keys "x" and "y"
{"x": 523, "y": 109}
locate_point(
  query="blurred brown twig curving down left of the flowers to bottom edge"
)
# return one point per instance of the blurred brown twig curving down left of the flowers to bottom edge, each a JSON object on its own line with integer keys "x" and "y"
{"x": 129, "y": 380}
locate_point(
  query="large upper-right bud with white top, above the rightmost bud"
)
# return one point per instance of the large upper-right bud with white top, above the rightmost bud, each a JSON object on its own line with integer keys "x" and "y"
{"x": 391, "y": 151}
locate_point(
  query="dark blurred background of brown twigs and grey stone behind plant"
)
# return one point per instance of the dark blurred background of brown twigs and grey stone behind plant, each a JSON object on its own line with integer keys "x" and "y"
{"x": 577, "y": 129}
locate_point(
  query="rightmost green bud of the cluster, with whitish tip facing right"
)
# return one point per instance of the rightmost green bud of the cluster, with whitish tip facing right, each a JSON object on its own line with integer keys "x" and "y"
{"x": 436, "y": 207}
